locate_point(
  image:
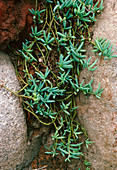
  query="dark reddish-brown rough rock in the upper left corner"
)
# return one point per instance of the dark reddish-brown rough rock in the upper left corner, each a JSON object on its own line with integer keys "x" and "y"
{"x": 15, "y": 20}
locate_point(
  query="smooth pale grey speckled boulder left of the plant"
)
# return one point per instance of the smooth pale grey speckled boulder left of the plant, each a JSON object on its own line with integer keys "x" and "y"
{"x": 13, "y": 128}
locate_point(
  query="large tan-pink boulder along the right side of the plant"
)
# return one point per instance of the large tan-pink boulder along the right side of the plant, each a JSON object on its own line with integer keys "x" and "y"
{"x": 99, "y": 116}
